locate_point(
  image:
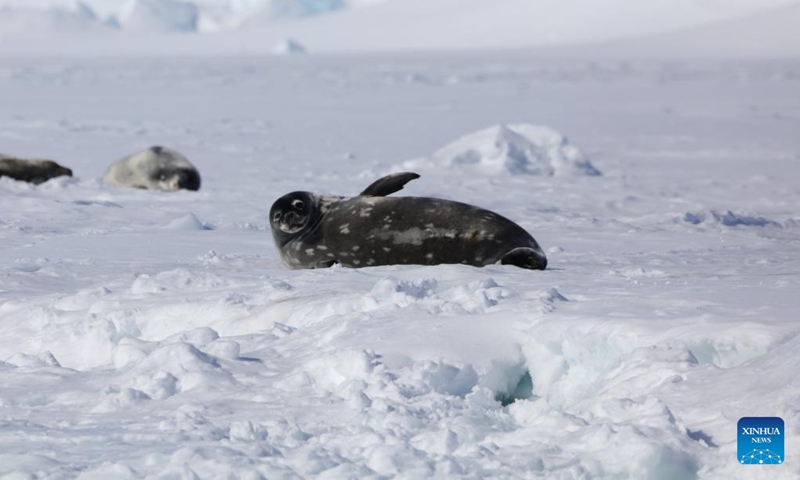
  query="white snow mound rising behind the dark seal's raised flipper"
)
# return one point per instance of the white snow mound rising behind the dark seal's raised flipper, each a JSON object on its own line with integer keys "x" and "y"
{"x": 521, "y": 149}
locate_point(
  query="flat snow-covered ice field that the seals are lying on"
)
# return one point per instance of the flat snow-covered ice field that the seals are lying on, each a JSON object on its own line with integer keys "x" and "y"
{"x": 151, "y": 334}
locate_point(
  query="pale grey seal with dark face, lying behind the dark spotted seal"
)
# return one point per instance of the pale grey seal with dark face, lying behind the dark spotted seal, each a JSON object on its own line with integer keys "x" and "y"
{"x": 157, "y": 168}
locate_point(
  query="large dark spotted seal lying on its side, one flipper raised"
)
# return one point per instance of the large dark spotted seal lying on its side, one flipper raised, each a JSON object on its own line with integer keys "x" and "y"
{"x": 314, "y": 230}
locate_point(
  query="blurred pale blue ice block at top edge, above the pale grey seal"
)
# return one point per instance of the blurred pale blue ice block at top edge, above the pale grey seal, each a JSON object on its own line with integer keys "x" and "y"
{"x": 159, "y": 16}
